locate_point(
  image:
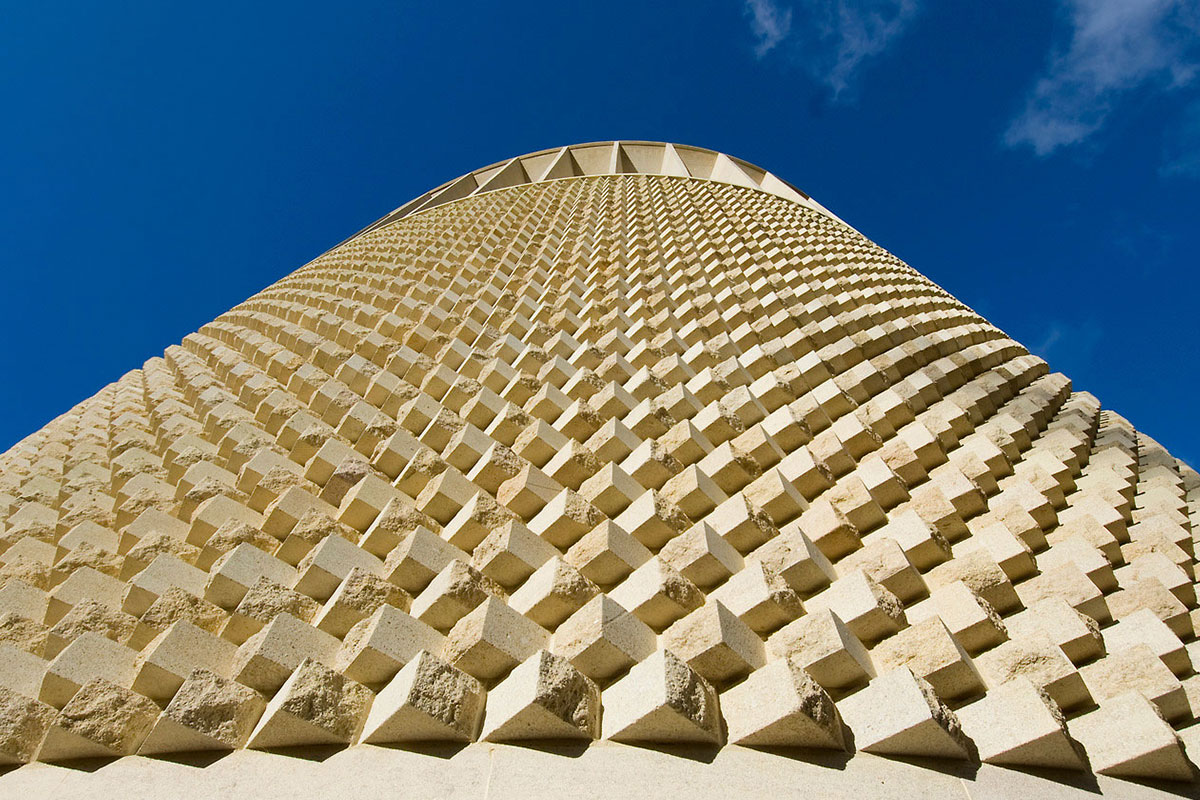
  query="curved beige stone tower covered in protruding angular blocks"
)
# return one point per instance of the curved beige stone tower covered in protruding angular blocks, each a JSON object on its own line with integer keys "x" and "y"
{"x": 611, "y": 470}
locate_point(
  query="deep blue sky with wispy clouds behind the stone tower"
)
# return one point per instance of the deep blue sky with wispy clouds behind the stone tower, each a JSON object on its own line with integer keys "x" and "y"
{"x": 165, "y": 161}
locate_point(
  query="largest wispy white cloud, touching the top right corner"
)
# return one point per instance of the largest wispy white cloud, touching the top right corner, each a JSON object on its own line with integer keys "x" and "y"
{"x": 1114, "y": 49}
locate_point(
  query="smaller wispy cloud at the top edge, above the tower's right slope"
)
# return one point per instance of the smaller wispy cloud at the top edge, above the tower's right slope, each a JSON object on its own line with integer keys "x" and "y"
{"x": 837, "y": 39}
